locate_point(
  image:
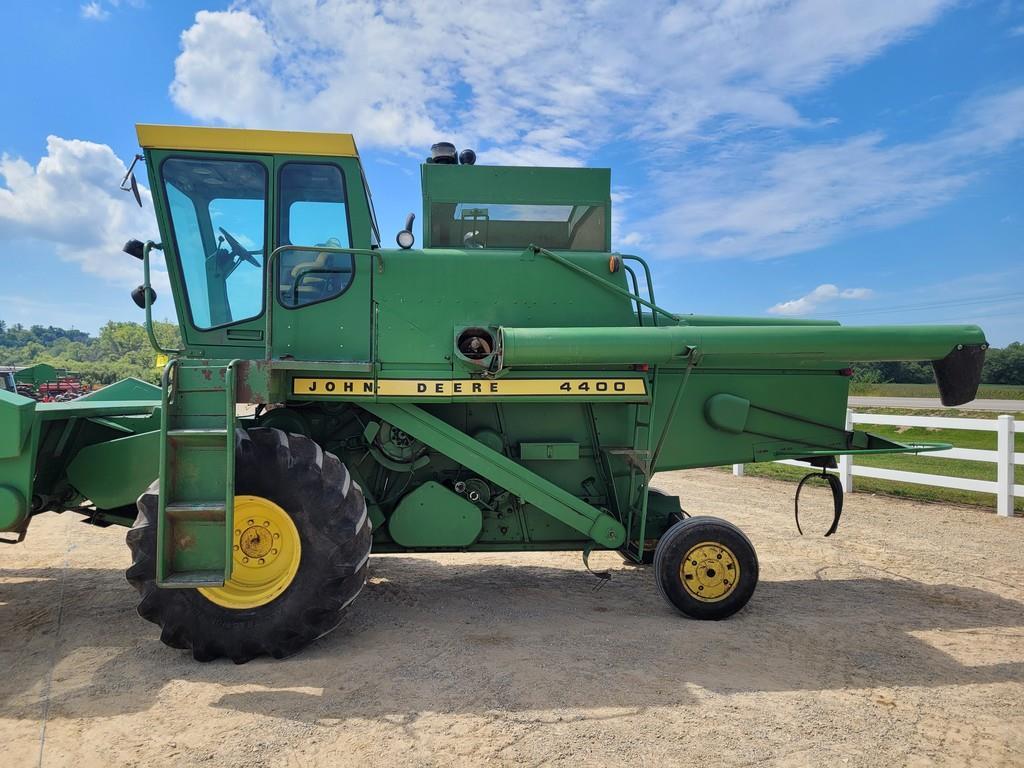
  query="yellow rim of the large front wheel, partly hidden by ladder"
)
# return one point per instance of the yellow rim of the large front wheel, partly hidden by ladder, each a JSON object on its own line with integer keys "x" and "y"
{"x": 267, "y": 552}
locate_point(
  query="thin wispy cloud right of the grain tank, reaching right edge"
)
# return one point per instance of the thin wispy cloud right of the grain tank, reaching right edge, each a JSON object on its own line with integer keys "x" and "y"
{"x": 749, "y": 203}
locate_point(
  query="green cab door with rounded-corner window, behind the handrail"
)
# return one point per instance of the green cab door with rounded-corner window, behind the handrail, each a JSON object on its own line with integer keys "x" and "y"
{"x": 322, "y": 300}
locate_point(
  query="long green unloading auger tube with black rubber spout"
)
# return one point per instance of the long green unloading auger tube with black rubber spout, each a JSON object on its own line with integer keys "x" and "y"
{"x": 957, "y": 353}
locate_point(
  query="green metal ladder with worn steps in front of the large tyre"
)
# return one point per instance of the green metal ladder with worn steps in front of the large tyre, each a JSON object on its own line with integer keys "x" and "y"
{"x": 197, "y": 474}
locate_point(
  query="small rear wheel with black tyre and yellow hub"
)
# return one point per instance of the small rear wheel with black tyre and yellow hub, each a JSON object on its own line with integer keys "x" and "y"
{"x": 706, "y": 568}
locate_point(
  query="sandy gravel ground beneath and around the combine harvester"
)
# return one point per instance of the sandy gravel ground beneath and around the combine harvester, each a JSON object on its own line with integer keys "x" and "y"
{"x": 901, "y": 642}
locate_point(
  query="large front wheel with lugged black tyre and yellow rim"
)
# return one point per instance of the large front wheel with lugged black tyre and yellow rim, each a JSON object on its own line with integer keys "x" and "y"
{"x": 302, "y": 546}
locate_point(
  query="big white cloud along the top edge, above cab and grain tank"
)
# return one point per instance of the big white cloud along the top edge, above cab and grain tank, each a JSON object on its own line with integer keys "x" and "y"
{"x": 547, "y": 83}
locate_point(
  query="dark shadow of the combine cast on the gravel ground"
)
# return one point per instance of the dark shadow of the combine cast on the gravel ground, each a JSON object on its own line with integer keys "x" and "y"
{"x": 476, "y": 637}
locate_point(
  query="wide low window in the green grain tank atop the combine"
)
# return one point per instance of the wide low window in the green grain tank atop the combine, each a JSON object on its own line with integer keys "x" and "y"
{"x": 567, "y": 228}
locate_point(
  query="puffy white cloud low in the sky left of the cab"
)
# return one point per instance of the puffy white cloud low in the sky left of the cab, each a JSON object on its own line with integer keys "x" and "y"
{"x": 71, "y": 199}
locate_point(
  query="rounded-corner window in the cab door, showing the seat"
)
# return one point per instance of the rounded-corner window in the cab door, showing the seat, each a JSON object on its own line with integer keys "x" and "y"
{"x": 313, "y": 211}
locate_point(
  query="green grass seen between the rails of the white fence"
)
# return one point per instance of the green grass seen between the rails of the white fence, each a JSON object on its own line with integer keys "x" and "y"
{"x": 922, "y": 463}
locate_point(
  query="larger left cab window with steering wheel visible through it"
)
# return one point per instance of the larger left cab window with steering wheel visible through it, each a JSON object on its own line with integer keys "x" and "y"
{"x": 219, "y": 220}
